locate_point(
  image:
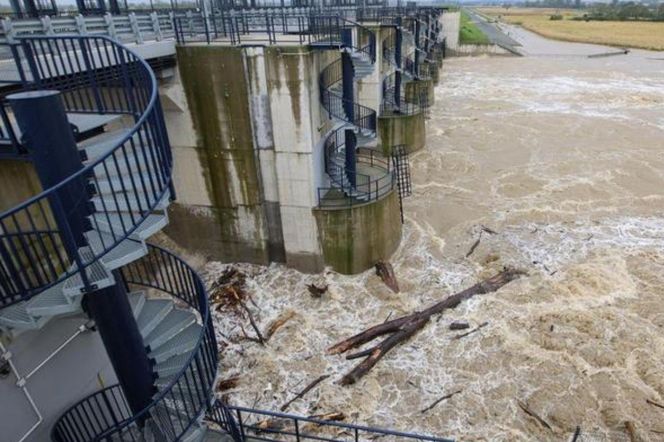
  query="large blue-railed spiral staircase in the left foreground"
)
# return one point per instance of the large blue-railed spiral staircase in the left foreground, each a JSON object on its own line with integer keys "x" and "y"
{"x": 121, "y": 191}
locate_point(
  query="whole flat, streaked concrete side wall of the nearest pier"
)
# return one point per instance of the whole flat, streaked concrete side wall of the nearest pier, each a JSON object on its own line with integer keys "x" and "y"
{"x": 248, "y": 156}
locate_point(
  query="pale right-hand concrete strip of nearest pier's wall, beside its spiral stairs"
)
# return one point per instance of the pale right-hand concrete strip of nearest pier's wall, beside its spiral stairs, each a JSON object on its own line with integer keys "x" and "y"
{"x": 292, "y": 86}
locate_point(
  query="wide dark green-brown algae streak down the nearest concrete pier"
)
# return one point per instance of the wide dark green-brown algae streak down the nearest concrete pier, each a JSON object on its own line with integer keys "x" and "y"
{"x": 214, "y": 82}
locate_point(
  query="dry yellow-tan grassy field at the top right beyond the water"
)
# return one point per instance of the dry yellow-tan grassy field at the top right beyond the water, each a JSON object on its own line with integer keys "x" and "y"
{"x": 645, "y": 35}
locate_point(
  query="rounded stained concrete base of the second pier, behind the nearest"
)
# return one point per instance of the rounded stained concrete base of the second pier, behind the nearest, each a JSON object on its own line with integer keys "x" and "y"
{"x": 408, "y": 130}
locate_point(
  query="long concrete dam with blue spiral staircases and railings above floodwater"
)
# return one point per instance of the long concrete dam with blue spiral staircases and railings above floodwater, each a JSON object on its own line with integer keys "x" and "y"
{"x": 239, "y": 133}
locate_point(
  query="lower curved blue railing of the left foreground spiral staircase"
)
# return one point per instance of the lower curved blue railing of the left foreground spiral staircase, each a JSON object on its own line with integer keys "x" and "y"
{"x": 105, "y": 415}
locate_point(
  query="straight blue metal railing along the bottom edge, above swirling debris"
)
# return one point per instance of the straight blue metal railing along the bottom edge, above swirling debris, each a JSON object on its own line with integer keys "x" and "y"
{"x": 269, "y": 426}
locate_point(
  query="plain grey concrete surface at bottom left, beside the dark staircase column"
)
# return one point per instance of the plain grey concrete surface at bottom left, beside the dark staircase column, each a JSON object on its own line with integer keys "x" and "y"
{"x": 80, "y": 369}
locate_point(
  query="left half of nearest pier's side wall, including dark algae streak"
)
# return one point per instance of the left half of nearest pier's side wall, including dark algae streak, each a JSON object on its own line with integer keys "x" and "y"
{"x": 220, "y": 211}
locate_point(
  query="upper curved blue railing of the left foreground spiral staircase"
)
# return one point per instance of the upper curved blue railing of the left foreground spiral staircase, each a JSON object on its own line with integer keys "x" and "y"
{"x": 95, "y": 75}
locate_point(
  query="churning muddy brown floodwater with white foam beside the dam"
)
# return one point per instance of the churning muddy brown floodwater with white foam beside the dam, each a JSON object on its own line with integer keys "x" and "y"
{"x": 561, "y": 156}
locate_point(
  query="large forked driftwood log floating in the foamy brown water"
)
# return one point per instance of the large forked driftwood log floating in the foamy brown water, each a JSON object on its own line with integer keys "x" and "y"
{"x": 402, "y": 328}
